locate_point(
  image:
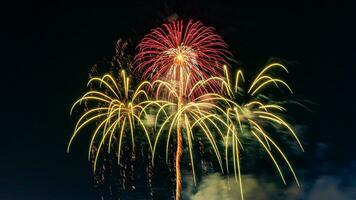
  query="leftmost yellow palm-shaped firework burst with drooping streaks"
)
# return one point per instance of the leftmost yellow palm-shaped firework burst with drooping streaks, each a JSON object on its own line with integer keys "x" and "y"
{"x": 115, "y": 112}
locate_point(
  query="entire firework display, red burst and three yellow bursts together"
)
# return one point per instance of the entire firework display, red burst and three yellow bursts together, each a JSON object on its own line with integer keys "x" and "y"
{"x": 185, "y": 93}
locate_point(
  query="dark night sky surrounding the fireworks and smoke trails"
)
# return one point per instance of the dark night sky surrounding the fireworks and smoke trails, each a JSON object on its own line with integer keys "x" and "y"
{"x": 48, "y": 48}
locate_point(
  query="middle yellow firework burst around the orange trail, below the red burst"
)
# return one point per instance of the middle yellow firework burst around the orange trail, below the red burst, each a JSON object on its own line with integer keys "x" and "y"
{"x": 182, "y": 116}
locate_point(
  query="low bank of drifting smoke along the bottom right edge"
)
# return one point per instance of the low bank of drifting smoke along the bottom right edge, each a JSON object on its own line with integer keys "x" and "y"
{"x": 326, "y": 187}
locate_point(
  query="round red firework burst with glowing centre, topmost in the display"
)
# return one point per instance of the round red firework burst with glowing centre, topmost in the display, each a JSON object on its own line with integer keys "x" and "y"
{"x": 192, "y": 49}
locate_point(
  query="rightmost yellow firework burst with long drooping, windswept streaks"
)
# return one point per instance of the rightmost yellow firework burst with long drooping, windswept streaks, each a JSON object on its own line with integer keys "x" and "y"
{"x": 252, "y": 117}
